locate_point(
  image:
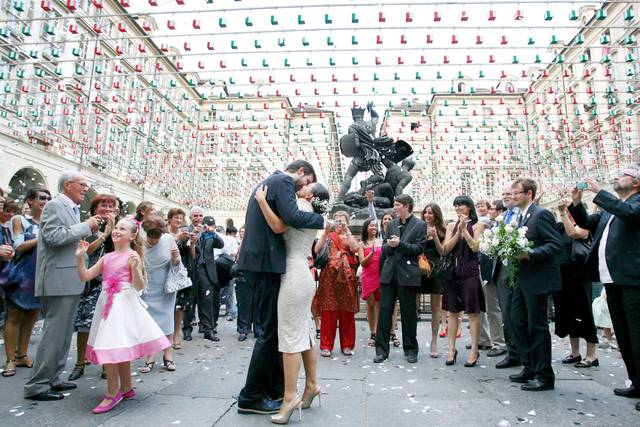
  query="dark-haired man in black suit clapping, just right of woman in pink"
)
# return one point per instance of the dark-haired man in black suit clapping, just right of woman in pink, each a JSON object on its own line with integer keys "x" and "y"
{"x": 400, "y": 278}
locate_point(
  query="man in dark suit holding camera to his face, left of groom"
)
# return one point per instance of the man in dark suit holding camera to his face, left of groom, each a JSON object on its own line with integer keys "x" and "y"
{"x": 208, "y": 285}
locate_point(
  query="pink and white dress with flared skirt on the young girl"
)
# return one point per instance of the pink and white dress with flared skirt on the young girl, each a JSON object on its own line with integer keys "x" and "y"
{"x": 122, "y": 330}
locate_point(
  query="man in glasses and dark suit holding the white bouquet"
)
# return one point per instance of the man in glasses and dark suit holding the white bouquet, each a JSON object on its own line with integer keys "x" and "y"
{"x": 538, "y": 277}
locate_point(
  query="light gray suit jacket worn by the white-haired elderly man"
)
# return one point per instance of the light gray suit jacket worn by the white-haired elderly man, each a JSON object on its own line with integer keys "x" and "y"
{"x": 58, "y": 237}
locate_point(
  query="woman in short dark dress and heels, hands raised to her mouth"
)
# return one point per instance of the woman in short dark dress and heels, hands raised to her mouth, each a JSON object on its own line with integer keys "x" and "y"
{"x": 464, "y": 293}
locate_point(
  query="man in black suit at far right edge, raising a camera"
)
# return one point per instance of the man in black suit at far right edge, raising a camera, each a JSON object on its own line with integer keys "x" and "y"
{"x": 614, "y": 259}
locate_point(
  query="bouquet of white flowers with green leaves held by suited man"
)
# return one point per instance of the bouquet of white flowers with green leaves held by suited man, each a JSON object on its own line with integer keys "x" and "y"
{"x": 506, "y": 241}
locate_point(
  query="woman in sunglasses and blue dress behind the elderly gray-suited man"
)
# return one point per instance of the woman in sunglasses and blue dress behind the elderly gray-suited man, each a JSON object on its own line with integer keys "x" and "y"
{"x": 22, "y": 306}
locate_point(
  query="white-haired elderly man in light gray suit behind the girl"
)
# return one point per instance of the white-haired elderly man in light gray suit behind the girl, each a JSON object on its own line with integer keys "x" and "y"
{"x": 58, "y": 284}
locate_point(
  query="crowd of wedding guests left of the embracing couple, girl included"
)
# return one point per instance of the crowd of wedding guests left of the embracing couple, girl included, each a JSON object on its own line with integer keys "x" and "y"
{"x": 105, "y": 278}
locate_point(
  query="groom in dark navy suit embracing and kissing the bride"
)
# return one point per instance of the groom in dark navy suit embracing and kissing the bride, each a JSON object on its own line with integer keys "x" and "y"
{"x": 262, "y": 260}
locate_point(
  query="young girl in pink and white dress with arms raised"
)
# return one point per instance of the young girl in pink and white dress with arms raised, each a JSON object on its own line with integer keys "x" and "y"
{"x": 122, "y": 330}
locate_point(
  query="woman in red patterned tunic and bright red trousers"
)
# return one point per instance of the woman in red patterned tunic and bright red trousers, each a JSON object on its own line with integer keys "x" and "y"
{"x": 336, "y": 299}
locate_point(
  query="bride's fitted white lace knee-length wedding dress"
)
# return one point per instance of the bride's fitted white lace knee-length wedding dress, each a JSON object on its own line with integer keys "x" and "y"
{"x": 296, "y": 330}
